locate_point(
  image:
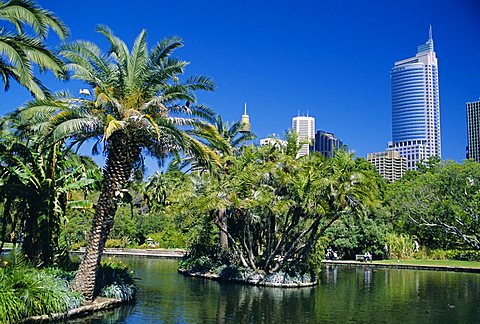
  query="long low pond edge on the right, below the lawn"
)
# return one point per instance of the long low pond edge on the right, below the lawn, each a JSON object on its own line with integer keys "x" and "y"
{"x": 404, "y": 266}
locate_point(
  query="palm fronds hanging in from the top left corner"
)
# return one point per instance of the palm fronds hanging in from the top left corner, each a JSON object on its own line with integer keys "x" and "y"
{"x": 19, "y": 51}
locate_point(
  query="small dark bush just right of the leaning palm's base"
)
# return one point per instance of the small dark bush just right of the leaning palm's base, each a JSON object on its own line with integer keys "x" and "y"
{"x": 114, "y": 280}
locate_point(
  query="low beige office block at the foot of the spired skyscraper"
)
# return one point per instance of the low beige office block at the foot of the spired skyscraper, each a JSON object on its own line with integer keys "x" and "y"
{"x": 389, "y": 164}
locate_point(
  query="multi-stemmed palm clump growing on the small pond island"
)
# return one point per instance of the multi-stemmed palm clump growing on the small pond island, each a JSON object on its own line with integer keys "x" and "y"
{"x": 276, "y": 207}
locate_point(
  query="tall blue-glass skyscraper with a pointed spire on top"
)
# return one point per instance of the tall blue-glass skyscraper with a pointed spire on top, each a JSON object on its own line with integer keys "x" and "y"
{"x": 416, "y": 106}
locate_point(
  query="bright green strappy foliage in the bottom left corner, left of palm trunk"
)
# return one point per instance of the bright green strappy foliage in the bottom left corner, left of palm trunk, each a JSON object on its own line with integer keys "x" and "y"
{"x": 26, "y": 291}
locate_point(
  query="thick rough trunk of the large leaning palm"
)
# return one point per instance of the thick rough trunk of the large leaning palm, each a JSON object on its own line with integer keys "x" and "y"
{"x": 122, "y": 153}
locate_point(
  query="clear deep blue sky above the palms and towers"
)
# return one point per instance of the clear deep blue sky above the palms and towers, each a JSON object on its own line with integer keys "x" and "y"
{"x": 332, "y": 58}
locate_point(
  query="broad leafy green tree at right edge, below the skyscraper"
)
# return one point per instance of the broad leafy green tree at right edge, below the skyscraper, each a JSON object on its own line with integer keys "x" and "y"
{"x": 439, "y": 204}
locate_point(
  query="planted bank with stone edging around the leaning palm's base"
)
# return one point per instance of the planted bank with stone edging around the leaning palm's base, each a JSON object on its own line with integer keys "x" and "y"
{"x": 29, "y": 294}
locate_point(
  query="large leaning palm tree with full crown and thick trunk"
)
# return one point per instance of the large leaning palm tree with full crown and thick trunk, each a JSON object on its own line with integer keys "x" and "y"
{"x": 138, "y": 104}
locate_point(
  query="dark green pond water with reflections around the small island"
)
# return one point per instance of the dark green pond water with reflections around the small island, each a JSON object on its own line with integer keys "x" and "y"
{"x": 344, "y": 295}
